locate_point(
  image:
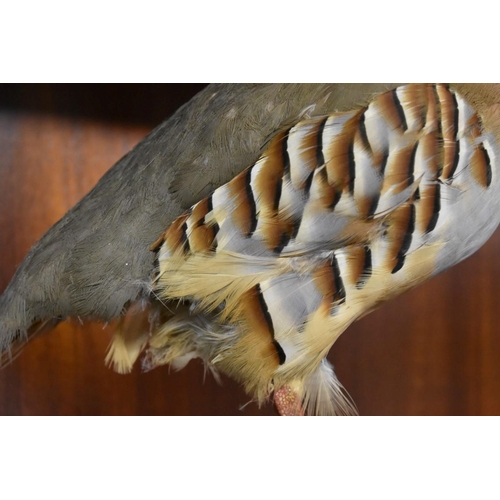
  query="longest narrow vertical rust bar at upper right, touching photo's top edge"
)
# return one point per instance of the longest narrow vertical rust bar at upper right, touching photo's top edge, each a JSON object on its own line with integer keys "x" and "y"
{"x": 449, "y": 115}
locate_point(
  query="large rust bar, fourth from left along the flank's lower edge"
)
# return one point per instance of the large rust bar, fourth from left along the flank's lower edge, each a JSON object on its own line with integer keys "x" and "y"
{"x": 400, "y": 233}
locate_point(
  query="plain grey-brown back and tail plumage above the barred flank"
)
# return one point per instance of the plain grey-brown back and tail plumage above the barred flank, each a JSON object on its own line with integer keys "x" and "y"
{"x": 96, "y": 261}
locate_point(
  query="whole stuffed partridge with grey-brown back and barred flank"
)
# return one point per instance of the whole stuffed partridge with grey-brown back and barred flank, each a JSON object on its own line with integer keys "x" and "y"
{"x": 260, "y": 221}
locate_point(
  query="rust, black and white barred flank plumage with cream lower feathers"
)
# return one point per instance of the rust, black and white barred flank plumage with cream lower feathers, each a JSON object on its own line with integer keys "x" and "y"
{"x": 339, "y": 214}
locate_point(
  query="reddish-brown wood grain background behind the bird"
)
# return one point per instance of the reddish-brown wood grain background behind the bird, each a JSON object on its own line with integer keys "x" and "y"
{"x": 433, "y": 351}
